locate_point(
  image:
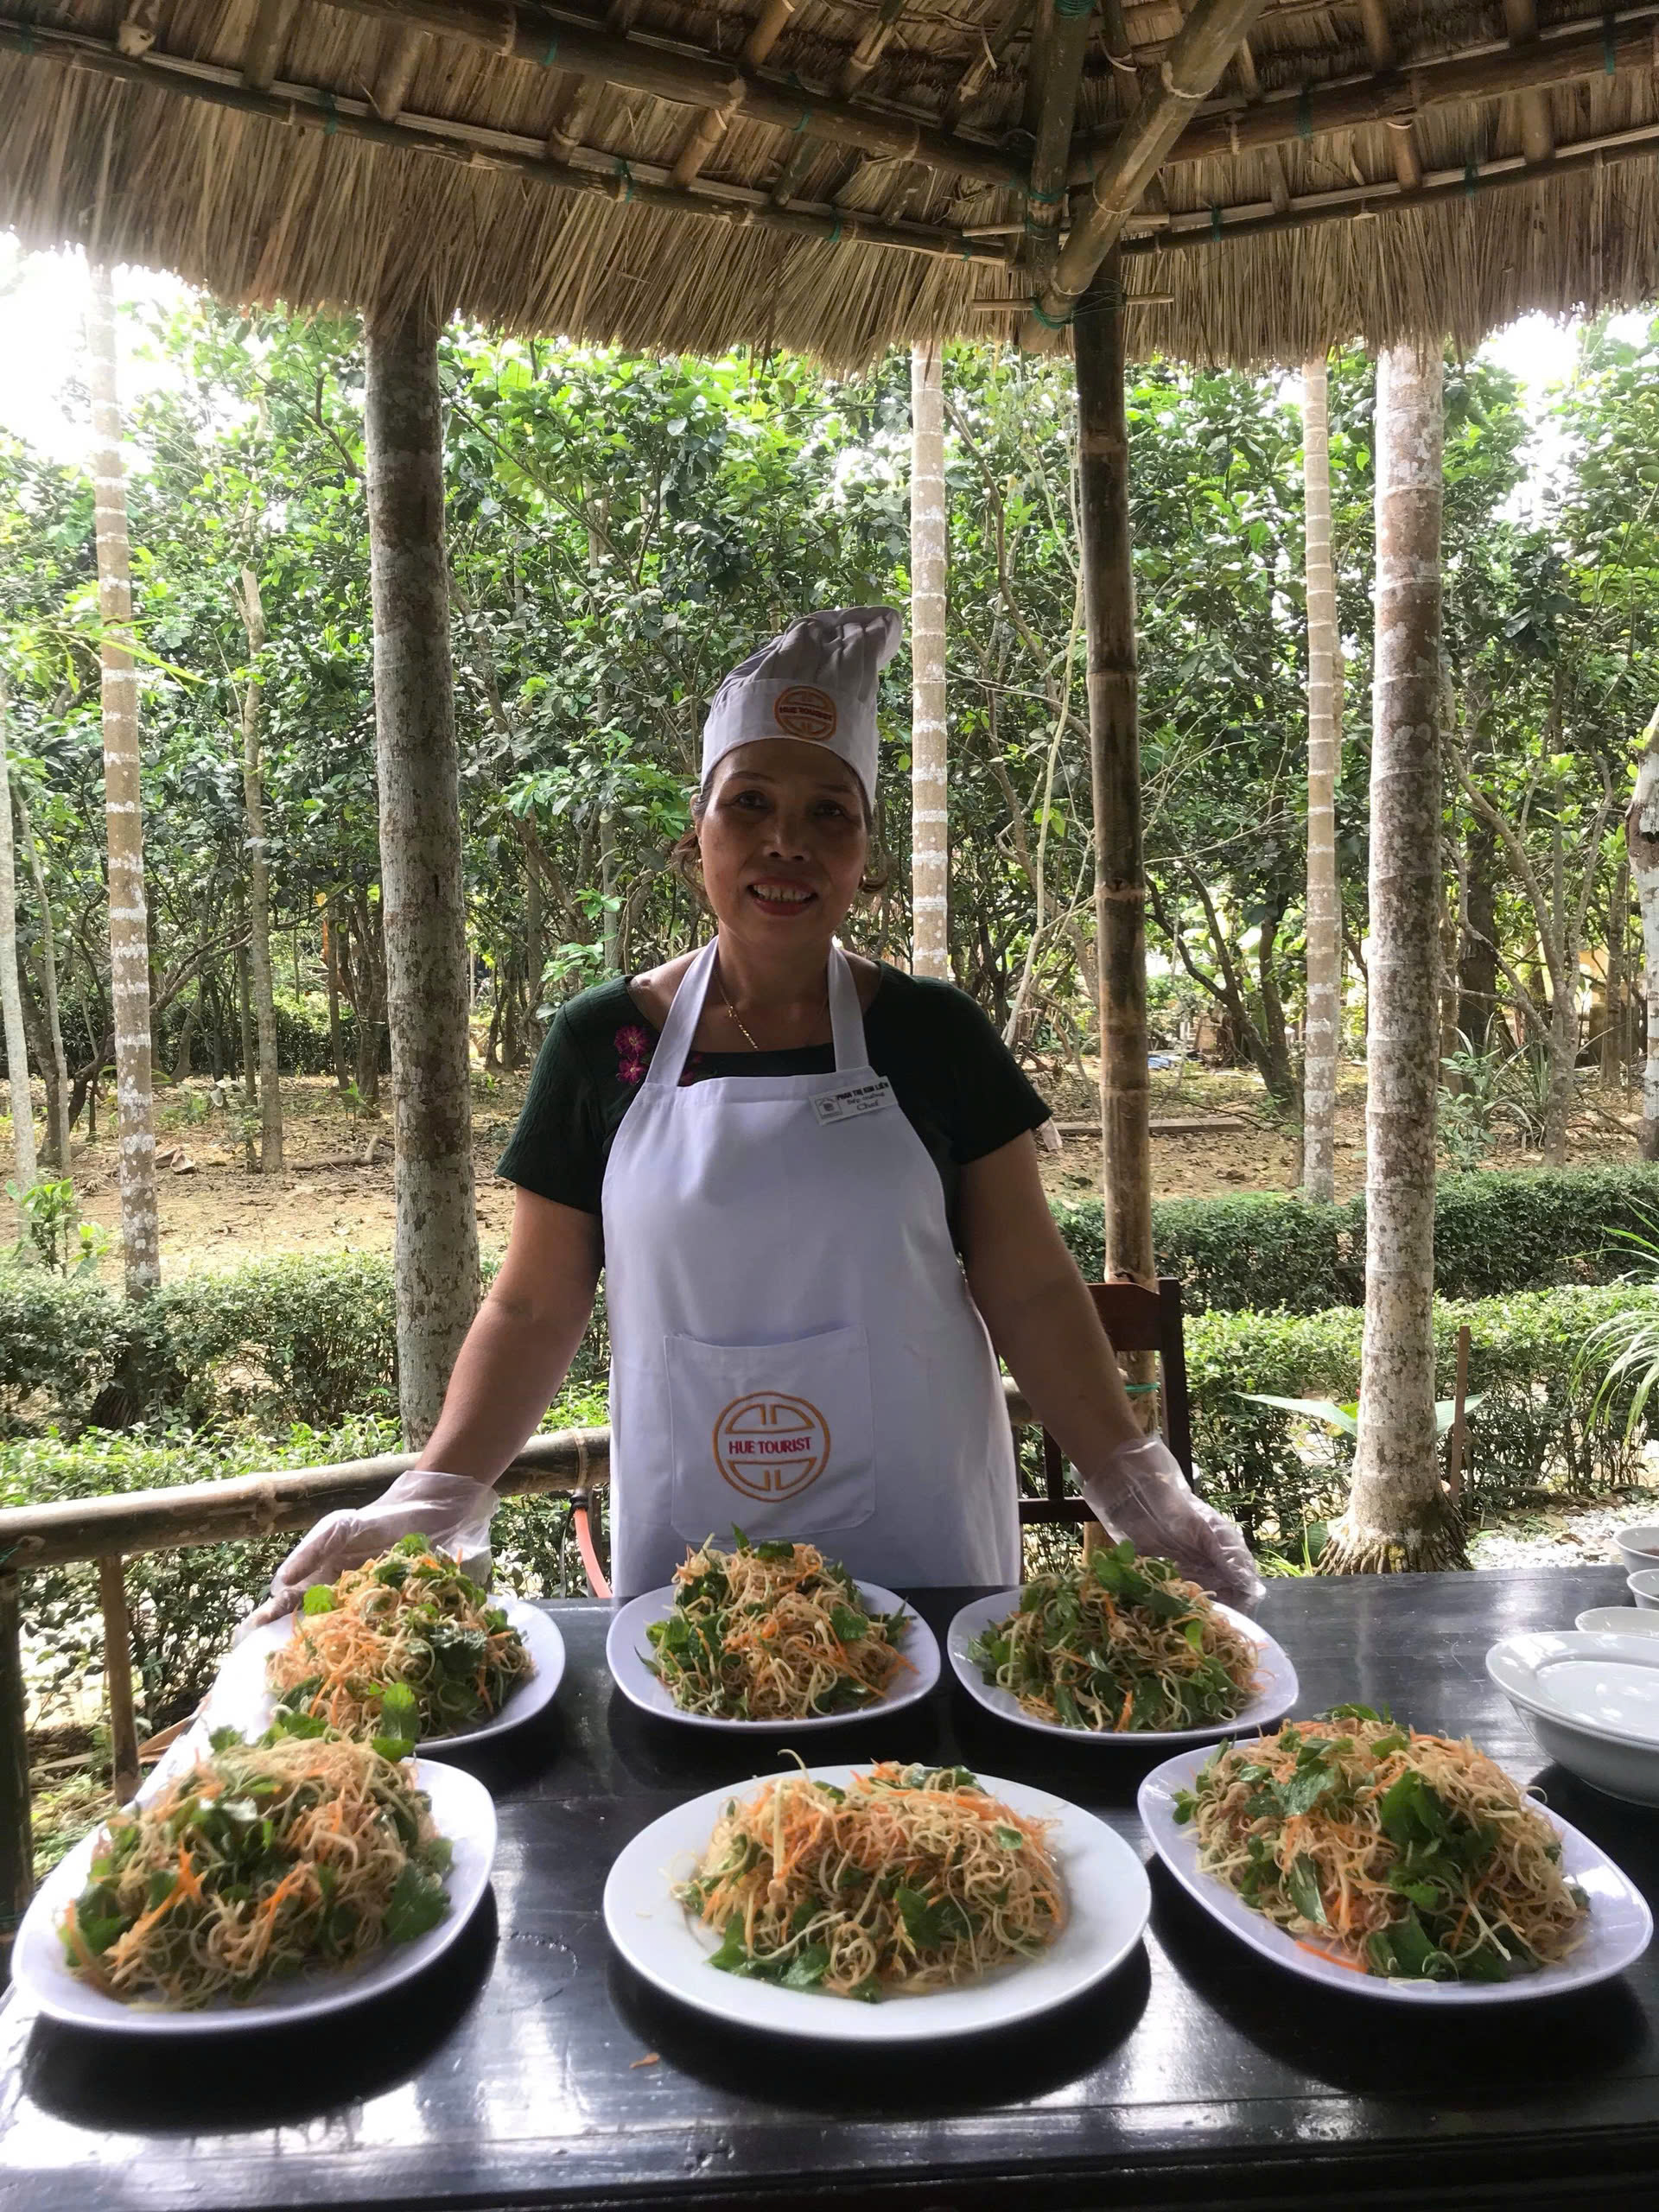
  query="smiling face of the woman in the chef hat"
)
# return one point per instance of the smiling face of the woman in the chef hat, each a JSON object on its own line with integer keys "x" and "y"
{"x": 784, "y": 842}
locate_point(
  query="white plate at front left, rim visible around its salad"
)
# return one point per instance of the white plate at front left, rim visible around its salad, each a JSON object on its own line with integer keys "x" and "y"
{"x": 461, "y": 1811}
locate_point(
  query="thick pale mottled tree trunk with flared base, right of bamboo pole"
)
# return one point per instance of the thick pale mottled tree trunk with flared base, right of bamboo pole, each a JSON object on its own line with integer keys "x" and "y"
{"x": 1399, "y": 1514}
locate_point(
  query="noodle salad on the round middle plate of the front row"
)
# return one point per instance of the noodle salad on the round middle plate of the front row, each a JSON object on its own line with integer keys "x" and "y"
{"x": 910, "y": 1879}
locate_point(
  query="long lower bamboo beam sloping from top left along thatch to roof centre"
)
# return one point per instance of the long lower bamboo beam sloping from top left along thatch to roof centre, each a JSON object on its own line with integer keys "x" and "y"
{"x": 306, "y": 109}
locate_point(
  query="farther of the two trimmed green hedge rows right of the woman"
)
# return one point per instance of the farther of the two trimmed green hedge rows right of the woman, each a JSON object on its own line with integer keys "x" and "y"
{"x": 1494, "y": 1233}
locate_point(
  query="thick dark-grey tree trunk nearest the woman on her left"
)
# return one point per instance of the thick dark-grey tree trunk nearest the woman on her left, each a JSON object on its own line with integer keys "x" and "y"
{"x": 421, "y": 870}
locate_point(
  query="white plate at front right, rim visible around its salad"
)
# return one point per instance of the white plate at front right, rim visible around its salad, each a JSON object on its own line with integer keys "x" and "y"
{"x": 1618, "y": 1934}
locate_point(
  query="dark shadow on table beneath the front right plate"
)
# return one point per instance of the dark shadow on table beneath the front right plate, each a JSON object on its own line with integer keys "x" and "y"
{"x": 1377, "y": 2049}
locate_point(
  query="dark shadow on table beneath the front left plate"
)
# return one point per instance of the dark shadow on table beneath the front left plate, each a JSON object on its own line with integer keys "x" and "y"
{"x": 260, "y": 2078}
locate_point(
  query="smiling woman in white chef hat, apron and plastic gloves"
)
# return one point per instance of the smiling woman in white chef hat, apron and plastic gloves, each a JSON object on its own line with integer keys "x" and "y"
{"x": 815, "y": 1193}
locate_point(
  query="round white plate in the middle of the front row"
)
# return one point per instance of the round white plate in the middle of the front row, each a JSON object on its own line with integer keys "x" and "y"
{"x": 1107, "y": 1899}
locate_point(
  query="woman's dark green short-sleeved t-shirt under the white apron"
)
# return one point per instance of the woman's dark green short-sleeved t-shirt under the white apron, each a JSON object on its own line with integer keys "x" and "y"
{"x": 952, "y": 1074}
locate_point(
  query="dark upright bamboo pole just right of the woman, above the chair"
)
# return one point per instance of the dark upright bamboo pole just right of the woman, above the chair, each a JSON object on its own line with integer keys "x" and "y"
{"x": 1116, "y": 775}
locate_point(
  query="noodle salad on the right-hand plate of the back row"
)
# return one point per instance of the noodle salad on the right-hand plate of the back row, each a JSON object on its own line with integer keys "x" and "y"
{"x": 1120, "y": 1645}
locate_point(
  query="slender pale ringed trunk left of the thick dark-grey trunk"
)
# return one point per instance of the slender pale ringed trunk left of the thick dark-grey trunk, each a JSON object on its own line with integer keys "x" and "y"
{"x": 129, "y": 932}
